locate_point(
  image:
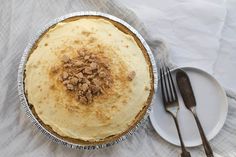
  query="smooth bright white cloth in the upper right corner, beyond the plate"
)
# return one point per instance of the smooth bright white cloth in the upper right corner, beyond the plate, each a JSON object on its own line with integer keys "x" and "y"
{"x": 199, "y": 33}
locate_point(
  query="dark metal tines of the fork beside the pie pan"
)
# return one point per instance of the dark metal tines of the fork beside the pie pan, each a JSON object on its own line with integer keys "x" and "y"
{"x": 167, "y": 86}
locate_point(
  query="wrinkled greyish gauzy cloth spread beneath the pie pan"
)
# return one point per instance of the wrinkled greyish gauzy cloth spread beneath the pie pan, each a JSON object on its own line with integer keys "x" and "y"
{"x": 19, "y": 22}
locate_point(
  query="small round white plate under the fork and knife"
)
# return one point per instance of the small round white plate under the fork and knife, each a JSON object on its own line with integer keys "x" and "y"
{"x": 212, "y": 108}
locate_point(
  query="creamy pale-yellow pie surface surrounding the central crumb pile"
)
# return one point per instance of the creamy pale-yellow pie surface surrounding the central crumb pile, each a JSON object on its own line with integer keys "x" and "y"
{"x": 110, "y": 115}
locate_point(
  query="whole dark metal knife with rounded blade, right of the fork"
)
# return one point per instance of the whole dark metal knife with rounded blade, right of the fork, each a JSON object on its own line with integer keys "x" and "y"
{"x": 187, "y": 94}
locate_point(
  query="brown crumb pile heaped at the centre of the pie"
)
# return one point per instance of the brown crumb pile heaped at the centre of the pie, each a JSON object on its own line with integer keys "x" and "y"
{"x": 85, "y": 75}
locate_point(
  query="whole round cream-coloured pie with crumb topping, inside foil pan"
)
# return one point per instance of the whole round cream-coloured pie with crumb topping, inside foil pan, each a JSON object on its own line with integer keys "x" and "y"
{"x": 88, "y": 79}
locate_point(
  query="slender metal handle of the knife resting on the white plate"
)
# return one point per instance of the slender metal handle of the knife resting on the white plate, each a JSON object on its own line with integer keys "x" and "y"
{"x": 205, "y": 142}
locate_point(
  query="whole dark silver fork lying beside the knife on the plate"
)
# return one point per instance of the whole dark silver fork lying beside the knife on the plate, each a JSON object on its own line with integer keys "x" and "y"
{"x": 170, "y": 101}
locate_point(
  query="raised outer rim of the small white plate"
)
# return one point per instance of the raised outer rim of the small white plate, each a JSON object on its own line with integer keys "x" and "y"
{"x": 220, "y": 125}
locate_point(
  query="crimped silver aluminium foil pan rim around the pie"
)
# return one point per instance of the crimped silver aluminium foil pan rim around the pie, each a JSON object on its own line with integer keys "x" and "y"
{"x": 26, "y": 106}
